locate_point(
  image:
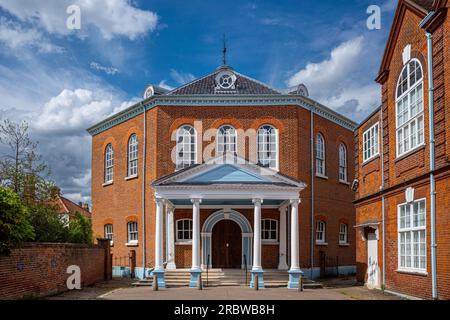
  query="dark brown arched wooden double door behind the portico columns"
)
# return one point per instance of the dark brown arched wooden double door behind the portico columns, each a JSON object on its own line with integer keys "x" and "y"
{"x": 226, "y": 245}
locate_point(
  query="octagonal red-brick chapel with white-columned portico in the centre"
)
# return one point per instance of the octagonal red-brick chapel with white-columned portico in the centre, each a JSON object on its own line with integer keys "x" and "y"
{"x": 160, "y": 186}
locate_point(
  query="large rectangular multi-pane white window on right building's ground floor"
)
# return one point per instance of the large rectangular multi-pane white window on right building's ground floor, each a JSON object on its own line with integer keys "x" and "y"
{"x": 411, "y": 235}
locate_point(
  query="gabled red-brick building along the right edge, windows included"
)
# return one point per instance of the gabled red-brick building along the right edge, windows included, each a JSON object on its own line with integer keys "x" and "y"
{"x": 393, "y": 165}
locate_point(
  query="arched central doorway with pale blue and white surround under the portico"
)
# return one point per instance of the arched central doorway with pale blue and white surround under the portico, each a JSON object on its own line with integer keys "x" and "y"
{"x": 244, "y": 235}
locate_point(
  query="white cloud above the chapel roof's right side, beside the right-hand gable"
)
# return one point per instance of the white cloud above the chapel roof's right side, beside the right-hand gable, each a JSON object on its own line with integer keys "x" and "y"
{"x": 336, "y": 81}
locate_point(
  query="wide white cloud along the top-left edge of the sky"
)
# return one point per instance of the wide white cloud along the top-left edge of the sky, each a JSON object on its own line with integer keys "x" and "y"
{"x": 111, "y": 17}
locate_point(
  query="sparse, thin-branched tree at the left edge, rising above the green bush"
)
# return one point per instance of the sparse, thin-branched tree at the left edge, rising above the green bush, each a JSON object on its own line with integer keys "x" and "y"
{"x": 22, "y": 168}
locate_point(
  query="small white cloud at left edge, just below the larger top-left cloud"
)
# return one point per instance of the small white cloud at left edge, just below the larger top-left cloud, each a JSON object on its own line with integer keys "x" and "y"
{"x": 16, "y": 37}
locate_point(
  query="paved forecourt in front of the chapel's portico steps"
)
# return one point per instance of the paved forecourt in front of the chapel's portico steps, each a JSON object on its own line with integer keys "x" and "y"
{"x": 120, "y": 289}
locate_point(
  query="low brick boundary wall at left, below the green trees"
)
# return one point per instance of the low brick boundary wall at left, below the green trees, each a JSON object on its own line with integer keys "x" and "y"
{"x": 39, "y": 269}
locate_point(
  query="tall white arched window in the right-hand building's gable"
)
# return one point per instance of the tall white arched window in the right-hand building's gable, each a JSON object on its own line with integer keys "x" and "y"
{"x": 410, "y": 118}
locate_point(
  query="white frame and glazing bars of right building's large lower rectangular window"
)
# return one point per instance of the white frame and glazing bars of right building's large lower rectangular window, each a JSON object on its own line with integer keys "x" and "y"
{"x": 411, "y": 229}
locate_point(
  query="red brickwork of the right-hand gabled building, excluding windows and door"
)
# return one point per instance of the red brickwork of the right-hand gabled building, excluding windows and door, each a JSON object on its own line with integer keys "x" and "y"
{"x": 412, "y": 169}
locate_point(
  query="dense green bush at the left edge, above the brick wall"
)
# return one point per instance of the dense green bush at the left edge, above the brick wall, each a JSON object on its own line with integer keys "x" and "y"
{"x": 14, "y": 224}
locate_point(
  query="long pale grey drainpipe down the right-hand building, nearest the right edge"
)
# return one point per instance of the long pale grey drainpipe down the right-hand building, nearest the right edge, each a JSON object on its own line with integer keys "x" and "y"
{"x": 429, "y": 37}
